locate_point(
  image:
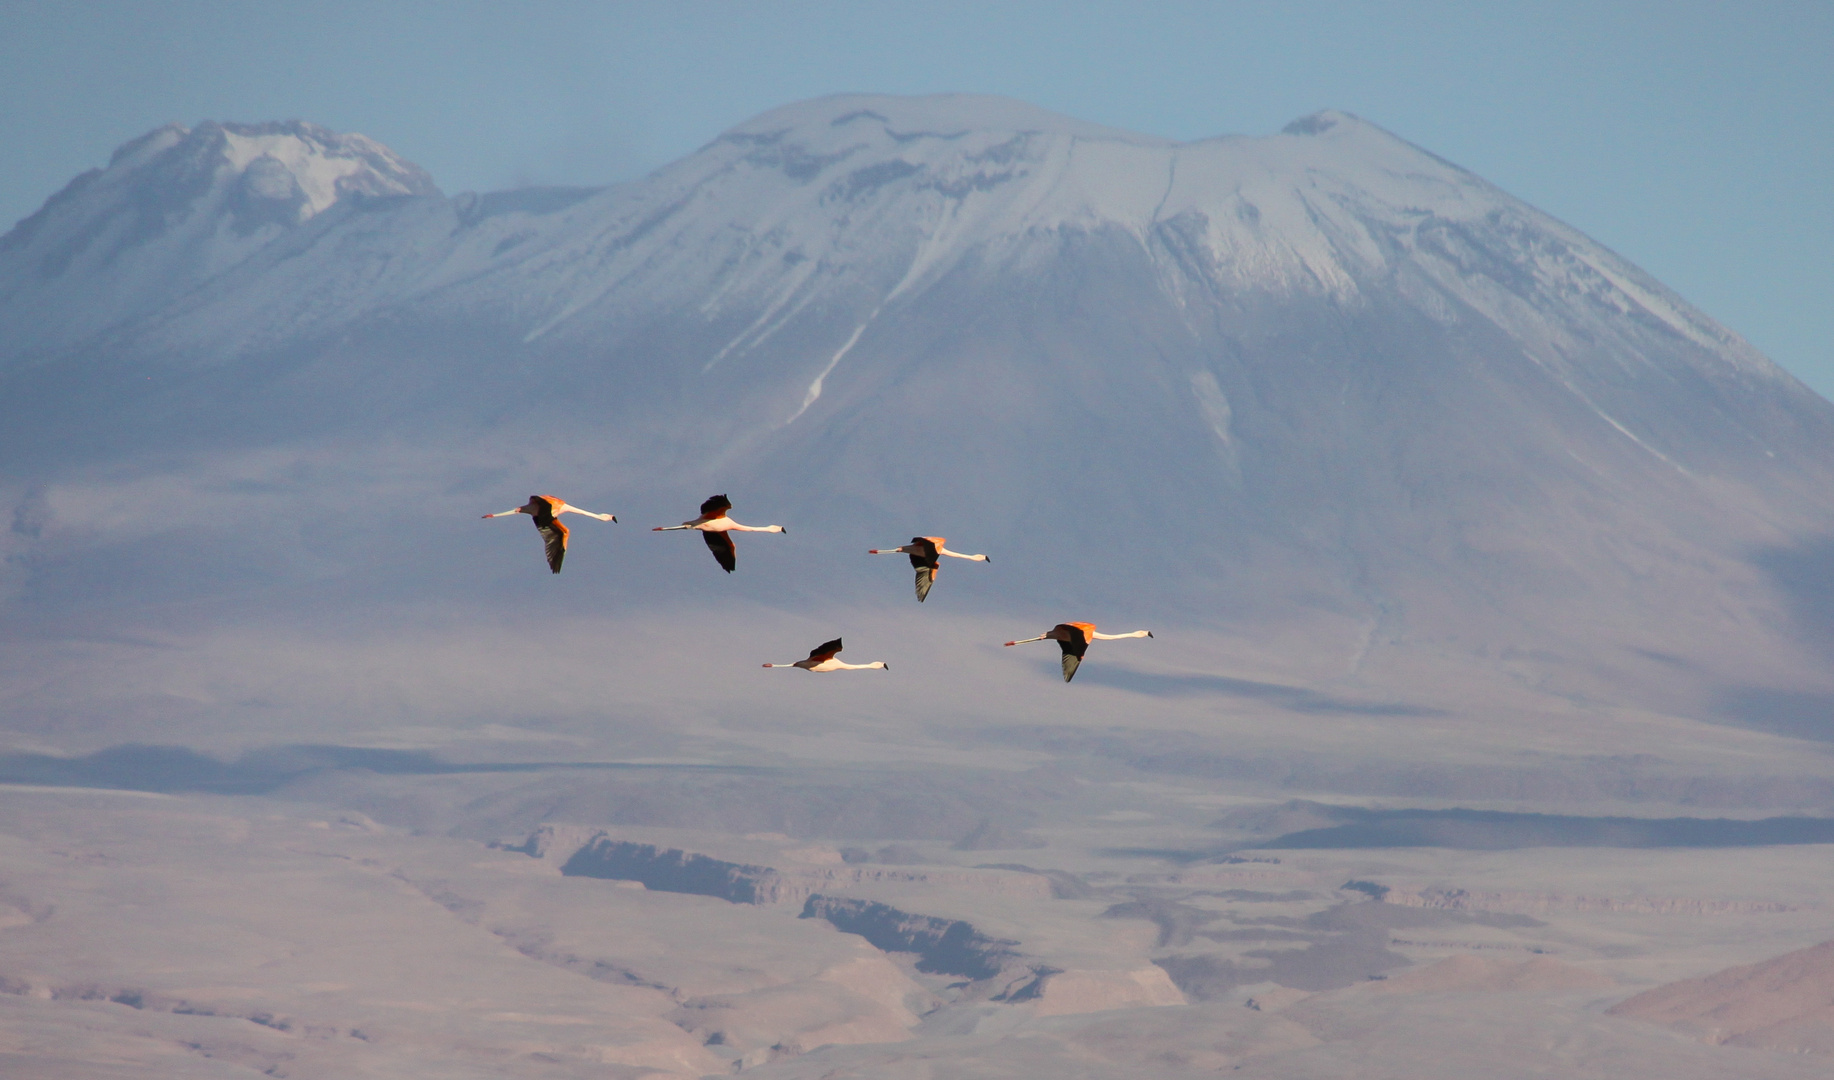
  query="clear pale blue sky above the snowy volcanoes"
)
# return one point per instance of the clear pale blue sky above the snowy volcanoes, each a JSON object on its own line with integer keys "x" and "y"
{"x": 1694, "y": 138}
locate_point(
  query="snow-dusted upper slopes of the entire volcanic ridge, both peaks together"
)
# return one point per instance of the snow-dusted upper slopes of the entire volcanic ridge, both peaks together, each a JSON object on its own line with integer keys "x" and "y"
{"x": 846, "y": 204}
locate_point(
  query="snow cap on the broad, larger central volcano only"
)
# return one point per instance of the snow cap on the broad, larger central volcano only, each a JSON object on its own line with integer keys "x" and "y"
{"x": 865, "y": 201}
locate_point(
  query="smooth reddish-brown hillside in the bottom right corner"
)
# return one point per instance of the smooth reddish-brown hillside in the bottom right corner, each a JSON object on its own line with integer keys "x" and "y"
{"x": 1784, "y": 1004}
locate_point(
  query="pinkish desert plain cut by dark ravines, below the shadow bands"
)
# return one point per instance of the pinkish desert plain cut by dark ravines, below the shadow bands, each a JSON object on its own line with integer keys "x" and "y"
{"x": 217, "y": 936}
